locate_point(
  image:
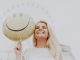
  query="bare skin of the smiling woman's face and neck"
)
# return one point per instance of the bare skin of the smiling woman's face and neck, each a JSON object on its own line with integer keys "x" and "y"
{"x": 41, "y": 34}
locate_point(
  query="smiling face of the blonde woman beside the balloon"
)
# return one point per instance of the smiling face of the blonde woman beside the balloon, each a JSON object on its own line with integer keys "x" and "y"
{"x": 41, "y": 31}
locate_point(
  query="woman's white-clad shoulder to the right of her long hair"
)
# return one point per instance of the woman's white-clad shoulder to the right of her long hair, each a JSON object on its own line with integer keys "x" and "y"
{"x": 66, "y": 52}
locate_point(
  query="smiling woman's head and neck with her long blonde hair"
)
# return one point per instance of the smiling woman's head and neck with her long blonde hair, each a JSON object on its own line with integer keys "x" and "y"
{"x": 44, "y": 38}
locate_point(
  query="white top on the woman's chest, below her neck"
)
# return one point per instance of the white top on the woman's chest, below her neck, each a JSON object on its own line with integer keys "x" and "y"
{"x": 38, "y": 54}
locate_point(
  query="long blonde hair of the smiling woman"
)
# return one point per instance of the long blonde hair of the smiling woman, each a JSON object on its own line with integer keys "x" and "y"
{"x": 52, "y": 44}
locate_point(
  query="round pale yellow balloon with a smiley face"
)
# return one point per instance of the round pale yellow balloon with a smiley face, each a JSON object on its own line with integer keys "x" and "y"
{"x": 18, "y": 27}
